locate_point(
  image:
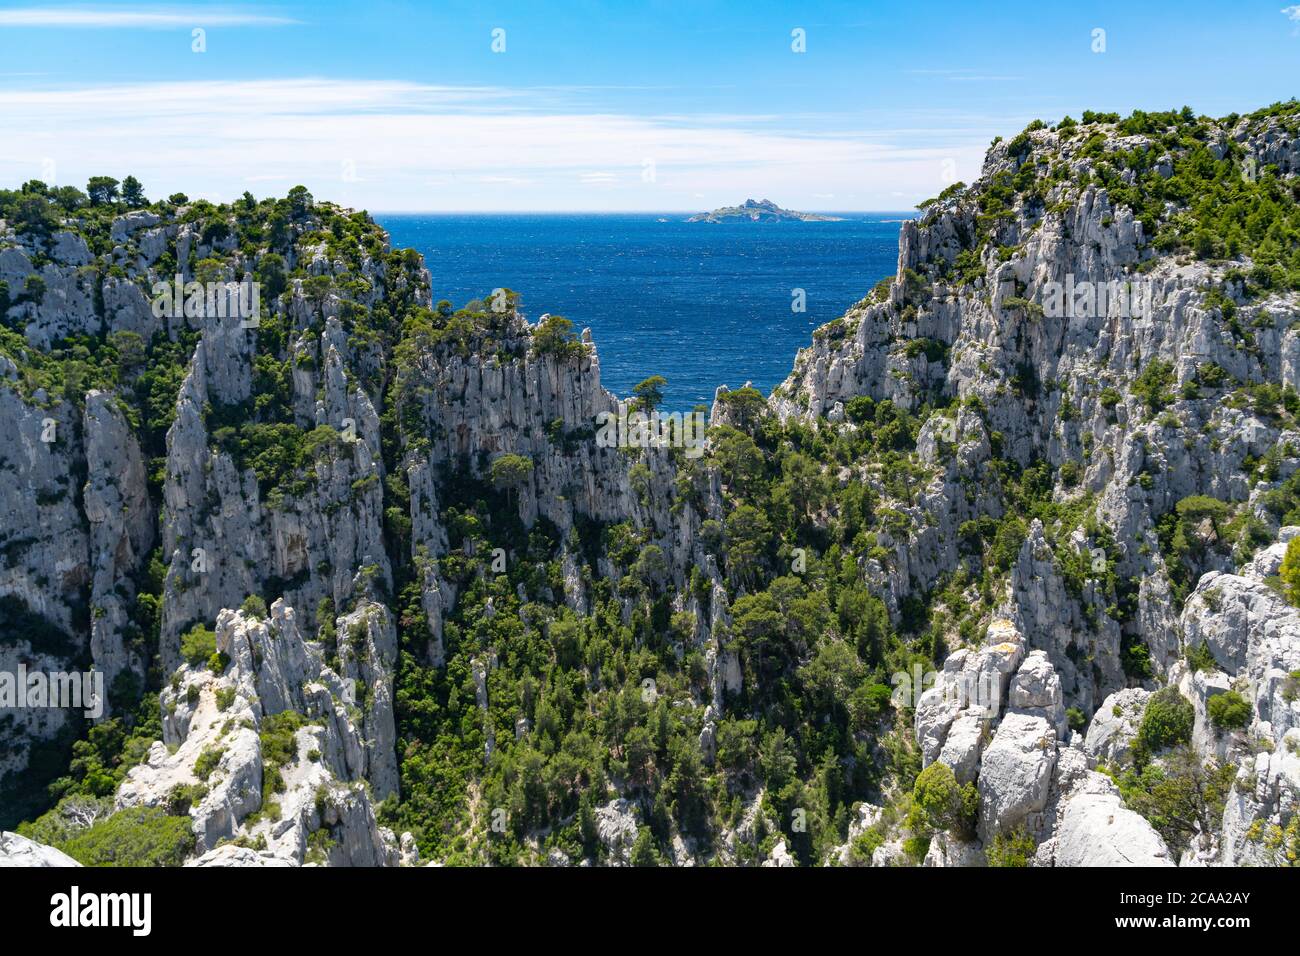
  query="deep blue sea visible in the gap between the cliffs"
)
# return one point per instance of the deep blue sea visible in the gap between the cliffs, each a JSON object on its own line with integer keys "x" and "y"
{"x": 699, "y": 304}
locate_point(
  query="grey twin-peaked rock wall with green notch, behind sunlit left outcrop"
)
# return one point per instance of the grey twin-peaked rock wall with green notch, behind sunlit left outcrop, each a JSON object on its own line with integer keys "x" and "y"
{"x": 322, "y": 538}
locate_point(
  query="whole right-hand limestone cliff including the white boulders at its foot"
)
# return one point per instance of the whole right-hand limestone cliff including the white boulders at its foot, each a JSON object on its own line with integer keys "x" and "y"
{"x": 1136, "y": 406}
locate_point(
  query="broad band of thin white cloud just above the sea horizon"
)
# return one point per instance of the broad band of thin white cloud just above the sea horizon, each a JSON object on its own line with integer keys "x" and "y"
{"x": 391, "y": 145}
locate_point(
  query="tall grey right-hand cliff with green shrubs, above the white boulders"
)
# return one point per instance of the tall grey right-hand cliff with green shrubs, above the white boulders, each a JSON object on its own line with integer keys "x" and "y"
{"x": 1016, "y": 288}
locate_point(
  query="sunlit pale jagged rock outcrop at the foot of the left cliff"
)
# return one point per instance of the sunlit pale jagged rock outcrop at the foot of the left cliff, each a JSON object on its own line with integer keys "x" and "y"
{"x": 279, "y": 754}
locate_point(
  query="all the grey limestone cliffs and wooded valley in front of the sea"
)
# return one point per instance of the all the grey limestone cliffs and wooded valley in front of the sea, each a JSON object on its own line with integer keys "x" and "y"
{"x": 1006, "y": 573}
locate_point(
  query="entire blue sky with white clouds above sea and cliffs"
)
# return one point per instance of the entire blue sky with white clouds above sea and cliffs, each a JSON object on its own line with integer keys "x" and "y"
{"x": 599, "y": 105}
